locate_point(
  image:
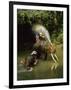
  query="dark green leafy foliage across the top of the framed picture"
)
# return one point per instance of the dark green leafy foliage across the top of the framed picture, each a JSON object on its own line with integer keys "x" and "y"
{"x": 52, "y": 20}
